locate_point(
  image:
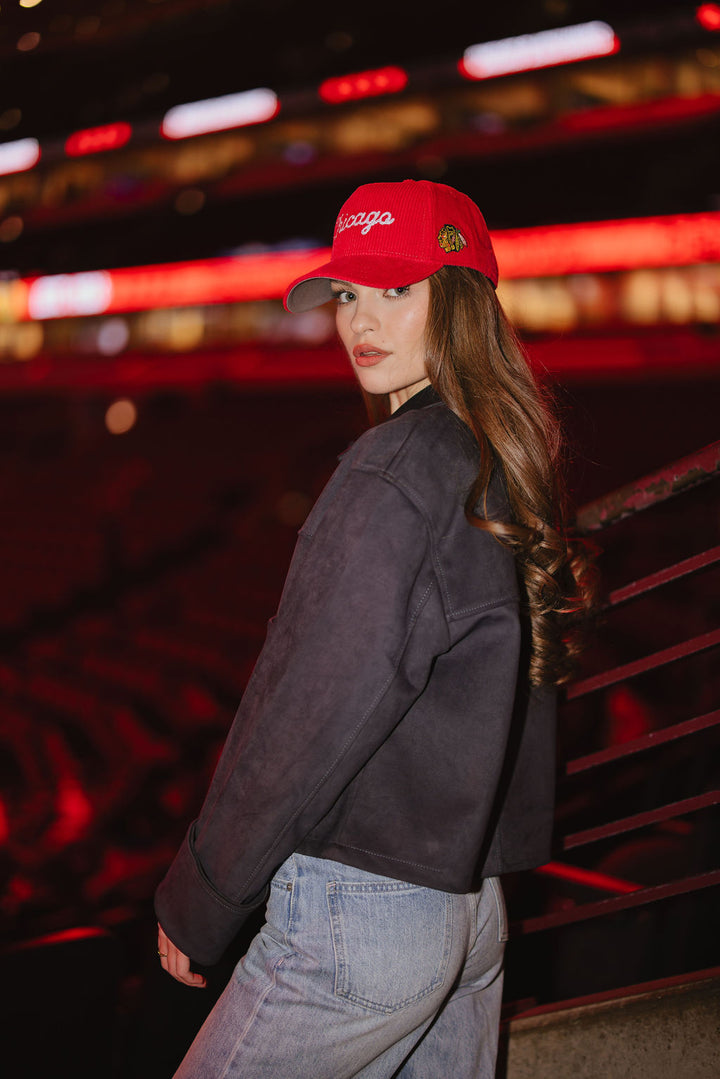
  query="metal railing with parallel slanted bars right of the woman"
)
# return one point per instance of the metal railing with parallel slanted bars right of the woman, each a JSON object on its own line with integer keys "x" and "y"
{"x": 599, "y": 825}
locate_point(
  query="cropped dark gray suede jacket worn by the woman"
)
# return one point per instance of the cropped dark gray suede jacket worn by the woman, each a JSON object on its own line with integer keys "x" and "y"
{"x": 388, "y": 723}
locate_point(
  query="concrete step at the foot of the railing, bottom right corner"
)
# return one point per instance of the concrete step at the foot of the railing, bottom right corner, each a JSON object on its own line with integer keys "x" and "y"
{"x": 668, "y": 1030}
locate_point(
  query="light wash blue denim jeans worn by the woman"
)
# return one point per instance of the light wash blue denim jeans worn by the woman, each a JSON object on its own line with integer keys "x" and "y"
{"x": 360, "y": 976}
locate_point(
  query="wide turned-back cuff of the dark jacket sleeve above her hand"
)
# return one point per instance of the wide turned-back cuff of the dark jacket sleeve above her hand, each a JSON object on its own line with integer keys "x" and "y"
{"x": 197, "y": 918}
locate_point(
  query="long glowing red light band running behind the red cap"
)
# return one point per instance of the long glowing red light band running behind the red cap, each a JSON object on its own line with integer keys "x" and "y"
{"x": 547, "y": 252}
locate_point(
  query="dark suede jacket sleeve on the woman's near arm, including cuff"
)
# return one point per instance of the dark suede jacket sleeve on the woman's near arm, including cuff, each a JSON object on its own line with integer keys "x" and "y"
{"x": 330, "y": 686}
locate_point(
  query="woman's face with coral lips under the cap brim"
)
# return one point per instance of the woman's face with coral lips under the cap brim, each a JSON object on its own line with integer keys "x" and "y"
{"x": 384, "y": 332}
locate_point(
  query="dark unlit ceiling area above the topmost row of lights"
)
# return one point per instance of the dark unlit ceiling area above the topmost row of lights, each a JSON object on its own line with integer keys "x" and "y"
{"x": 100, "y": 61}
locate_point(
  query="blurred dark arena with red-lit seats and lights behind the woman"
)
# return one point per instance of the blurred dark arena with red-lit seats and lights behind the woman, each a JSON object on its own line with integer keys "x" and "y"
{"x": 167, "y": 167}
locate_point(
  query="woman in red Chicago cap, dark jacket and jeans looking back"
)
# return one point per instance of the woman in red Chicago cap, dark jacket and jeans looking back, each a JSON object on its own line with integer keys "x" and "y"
{"x": 393, "y": 752}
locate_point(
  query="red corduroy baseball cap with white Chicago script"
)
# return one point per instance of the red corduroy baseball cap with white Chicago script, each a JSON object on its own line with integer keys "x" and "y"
{"x": 393, "y": 235}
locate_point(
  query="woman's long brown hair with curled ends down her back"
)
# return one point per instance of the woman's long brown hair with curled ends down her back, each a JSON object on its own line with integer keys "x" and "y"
{"x": 479, "y": 367}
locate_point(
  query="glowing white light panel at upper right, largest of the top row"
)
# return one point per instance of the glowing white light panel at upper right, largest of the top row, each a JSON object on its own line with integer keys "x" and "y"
{"x": 533, "y": 51}
